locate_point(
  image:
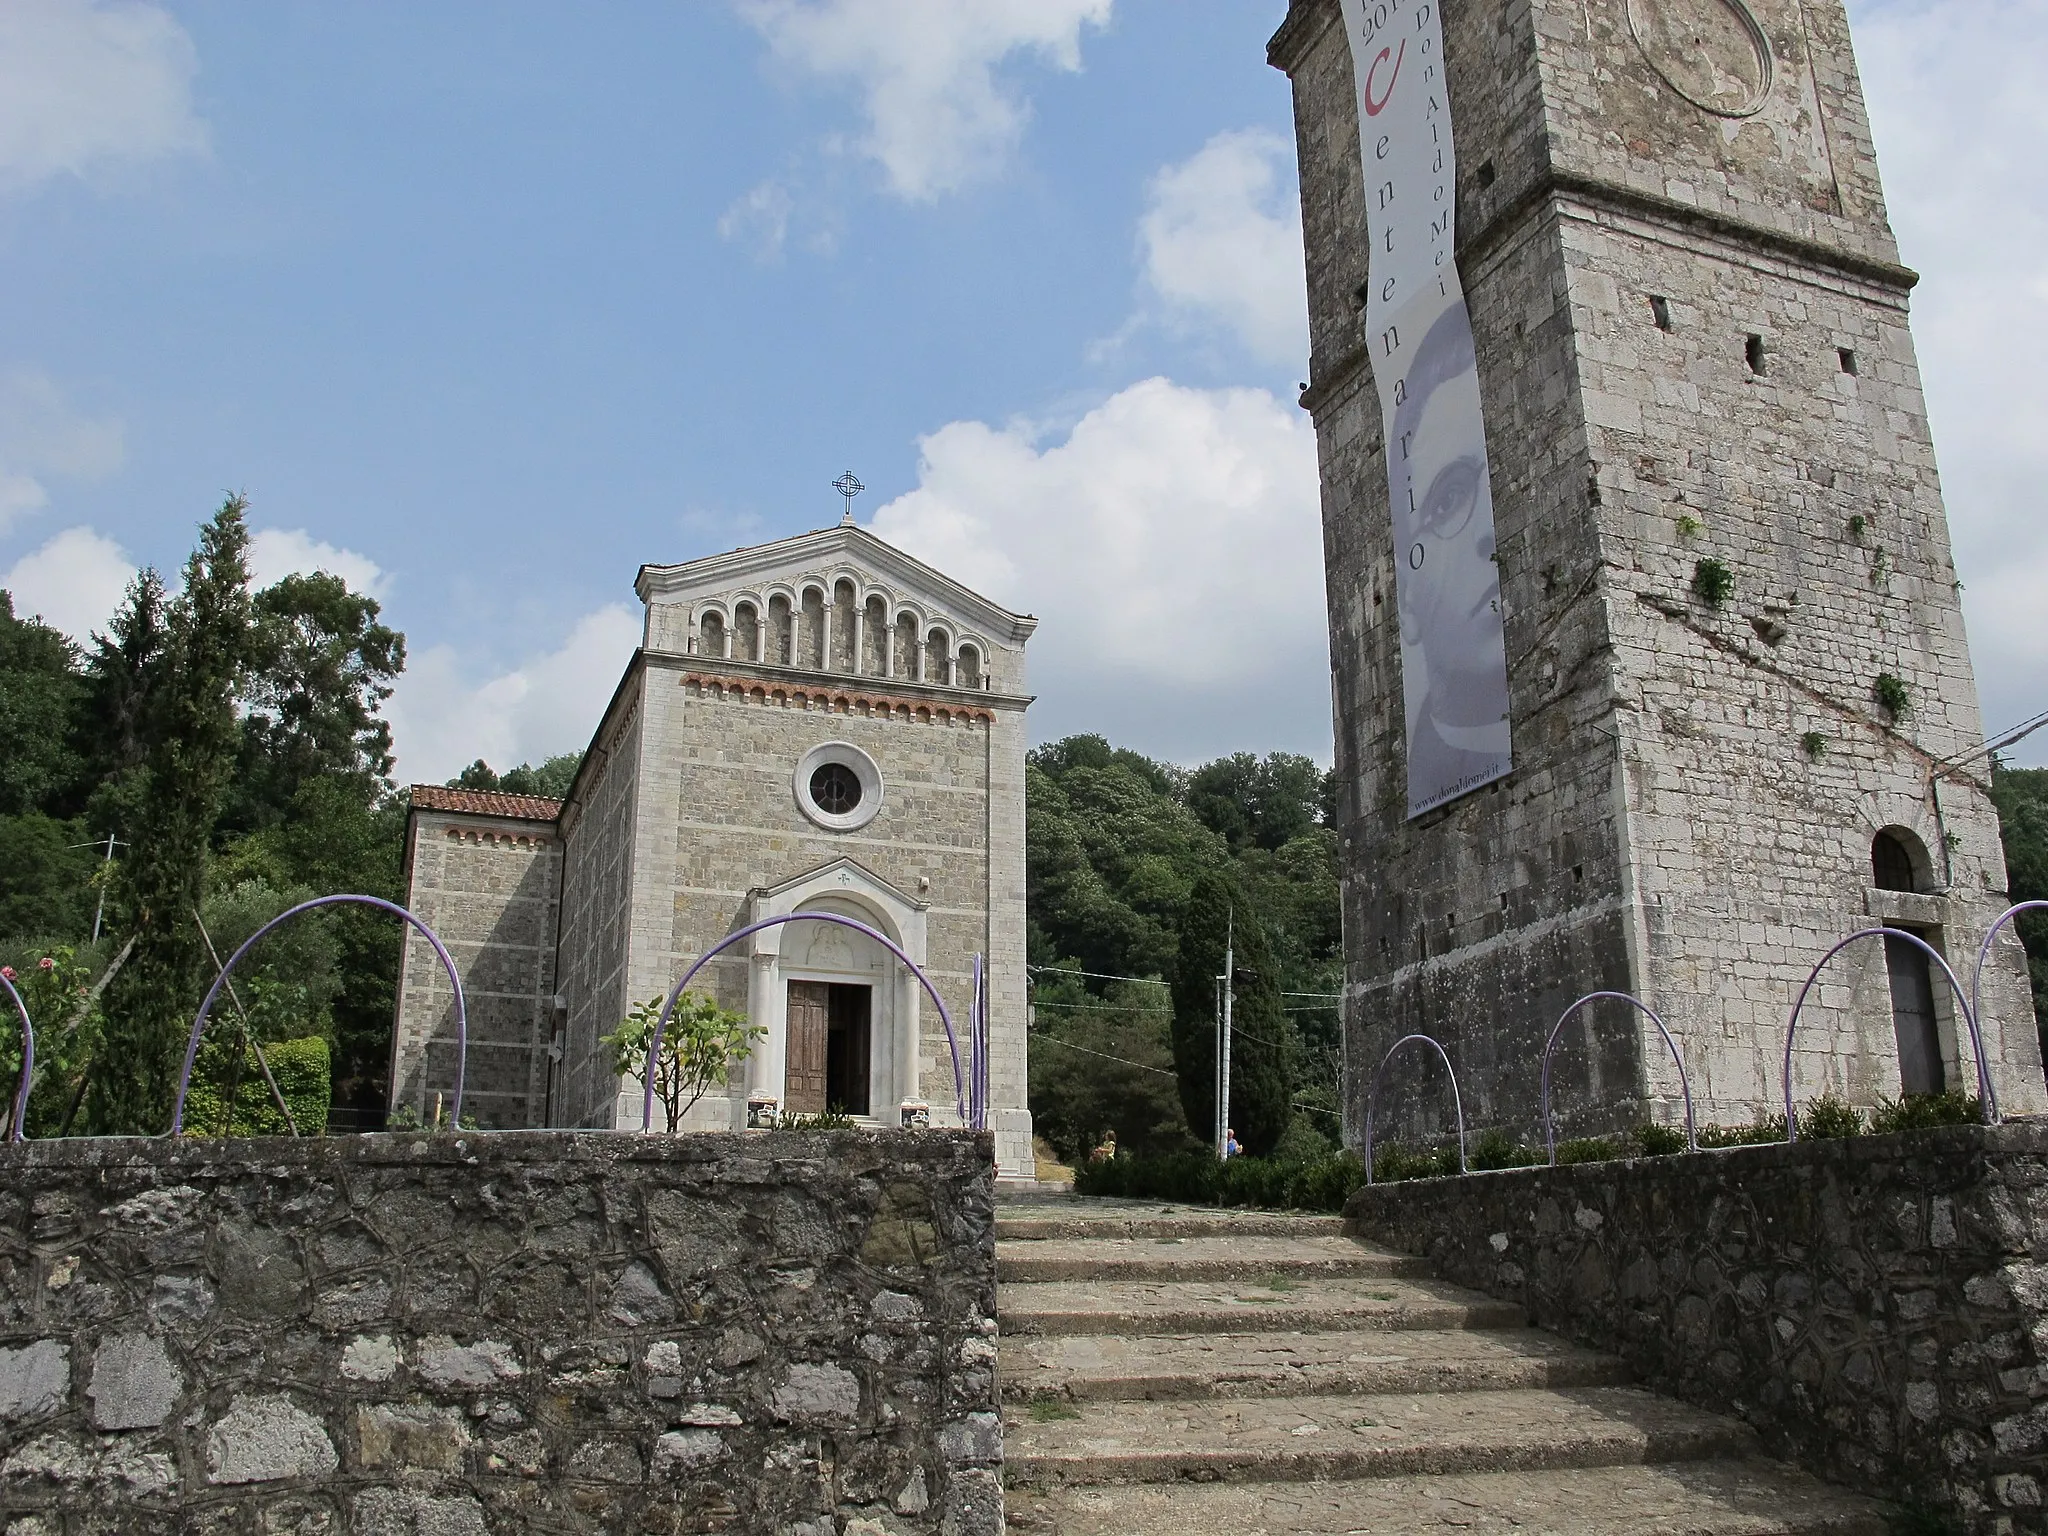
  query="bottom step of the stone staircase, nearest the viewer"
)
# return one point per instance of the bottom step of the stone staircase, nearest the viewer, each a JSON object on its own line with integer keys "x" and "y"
{"x": 1711, "y": 1498}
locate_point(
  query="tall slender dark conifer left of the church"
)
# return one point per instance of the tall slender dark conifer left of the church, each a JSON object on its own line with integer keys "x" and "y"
{"x": 191, "y": 738}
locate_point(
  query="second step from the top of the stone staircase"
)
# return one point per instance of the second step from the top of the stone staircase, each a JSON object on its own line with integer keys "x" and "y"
{"x": 1197, "y": 1258}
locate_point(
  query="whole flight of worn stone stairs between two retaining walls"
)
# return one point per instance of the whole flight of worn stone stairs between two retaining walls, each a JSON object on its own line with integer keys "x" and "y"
{"x": 1170, "y": 1369}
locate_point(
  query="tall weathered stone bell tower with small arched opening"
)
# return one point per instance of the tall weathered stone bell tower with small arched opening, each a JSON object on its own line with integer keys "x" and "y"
{"x": 1734, "y": 642}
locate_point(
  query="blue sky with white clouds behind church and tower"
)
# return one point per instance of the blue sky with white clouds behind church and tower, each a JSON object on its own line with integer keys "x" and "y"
{"x": 486, "y": 306}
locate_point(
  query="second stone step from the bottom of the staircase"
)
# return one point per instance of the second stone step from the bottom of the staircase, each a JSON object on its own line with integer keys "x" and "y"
{"x": 1304, "y": 1439}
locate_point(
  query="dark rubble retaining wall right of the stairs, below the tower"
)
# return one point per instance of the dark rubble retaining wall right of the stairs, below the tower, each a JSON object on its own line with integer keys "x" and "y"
{"x": 1875, "y": 1308}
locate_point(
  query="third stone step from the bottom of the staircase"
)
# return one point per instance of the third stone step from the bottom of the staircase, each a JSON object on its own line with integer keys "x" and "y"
{"x": 1107, "y": 1369}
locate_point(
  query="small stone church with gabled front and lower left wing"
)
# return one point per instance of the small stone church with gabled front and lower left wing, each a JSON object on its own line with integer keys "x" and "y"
{"x": 818, "y": 724}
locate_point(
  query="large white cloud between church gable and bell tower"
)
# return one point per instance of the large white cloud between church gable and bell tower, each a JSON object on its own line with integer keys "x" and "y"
{"x": 1172, "y": 550}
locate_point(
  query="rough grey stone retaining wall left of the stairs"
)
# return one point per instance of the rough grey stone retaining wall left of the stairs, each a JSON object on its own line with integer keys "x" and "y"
{"x": 409, "y": 1336}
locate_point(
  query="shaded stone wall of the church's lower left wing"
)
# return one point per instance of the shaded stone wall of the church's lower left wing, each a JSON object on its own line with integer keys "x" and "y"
{"x": 490, "y": 890}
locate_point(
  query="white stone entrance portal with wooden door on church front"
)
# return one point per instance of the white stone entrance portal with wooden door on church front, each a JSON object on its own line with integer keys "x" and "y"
{"x": 841, "y": 1015}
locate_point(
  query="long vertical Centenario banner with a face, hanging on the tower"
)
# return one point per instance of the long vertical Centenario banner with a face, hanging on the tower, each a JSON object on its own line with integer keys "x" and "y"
{"x": 1447, "y": 585}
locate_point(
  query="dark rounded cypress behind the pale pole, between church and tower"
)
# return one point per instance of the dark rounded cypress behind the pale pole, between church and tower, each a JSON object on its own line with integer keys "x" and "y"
{"x": 1263, "y": 1080}
